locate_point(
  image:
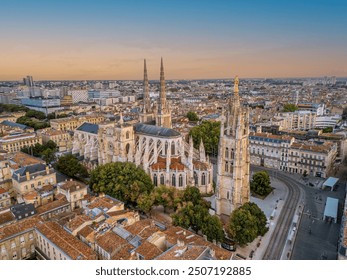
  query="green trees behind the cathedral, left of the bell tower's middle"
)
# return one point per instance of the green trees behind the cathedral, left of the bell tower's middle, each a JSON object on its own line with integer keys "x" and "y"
{"x": 209, "y": 133}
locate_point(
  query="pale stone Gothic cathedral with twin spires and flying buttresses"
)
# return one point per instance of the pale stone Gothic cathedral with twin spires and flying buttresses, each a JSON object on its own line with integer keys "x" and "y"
{"x": 161, "y": 151}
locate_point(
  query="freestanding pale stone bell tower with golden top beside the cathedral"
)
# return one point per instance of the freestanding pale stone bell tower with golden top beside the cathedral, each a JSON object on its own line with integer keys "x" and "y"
{"x": 232, "y": 188}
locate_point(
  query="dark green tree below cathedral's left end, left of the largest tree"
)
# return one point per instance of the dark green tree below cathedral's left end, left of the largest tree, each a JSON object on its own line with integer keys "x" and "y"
{"x": 70, "y": 166}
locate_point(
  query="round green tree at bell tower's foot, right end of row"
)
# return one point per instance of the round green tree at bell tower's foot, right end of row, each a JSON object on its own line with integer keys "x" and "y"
{"x": 246, "y": 223}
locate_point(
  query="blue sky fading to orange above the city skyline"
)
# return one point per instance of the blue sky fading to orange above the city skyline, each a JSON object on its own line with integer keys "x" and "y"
{"x": 198, "y": 39}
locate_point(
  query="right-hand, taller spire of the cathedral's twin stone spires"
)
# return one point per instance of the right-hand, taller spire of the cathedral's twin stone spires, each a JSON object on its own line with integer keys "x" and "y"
{"x": 163, "y": 114}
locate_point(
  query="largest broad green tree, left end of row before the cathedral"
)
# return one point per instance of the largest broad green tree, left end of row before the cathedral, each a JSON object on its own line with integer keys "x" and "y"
{"x": 122, "y": 180}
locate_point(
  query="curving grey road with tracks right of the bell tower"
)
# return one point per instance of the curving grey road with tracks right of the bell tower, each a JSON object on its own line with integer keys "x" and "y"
{"x": 284, "y": 222}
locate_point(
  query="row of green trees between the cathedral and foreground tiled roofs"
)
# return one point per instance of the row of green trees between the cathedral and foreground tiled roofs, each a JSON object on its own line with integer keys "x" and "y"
{"x": 133, "y": 186}
